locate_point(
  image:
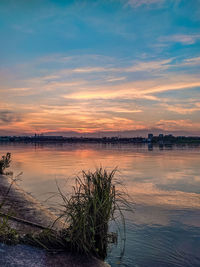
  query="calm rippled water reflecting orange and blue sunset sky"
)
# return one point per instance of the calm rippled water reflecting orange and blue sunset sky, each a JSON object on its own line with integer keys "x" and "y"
{"x": 164, "y": 184}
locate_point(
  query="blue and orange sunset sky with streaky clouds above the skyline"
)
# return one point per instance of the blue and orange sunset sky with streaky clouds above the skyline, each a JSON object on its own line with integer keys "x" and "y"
{"x": 99, "y": 66}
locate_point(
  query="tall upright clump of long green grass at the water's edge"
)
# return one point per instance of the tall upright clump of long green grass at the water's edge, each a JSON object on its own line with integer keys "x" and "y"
{"x": 89, "y": 210}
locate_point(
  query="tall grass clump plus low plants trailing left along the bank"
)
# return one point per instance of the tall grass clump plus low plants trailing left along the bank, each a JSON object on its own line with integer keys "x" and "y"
{"x": 95, "y": 202}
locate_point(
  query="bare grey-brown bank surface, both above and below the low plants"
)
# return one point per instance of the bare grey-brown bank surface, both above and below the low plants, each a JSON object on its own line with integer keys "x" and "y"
{"x": 22, "y": 205}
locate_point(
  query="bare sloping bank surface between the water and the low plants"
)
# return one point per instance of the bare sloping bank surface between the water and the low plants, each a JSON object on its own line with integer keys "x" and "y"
{"x": 23, "y": 205}
